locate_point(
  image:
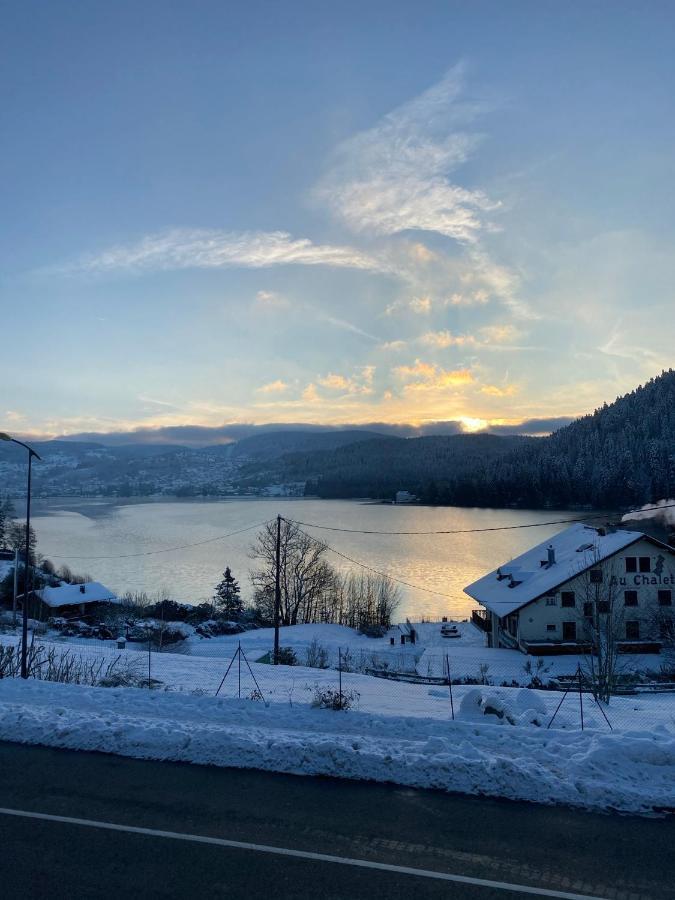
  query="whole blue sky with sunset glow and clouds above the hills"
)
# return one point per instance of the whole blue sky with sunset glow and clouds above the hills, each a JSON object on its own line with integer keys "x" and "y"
{"x": 332, "y": 213}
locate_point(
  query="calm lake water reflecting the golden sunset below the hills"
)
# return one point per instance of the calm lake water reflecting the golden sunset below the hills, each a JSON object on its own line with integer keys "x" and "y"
{"x": 78, "y": 531}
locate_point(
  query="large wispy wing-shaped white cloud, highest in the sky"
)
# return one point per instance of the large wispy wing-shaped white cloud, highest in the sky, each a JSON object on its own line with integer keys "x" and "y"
{"x": 394, "y": 176}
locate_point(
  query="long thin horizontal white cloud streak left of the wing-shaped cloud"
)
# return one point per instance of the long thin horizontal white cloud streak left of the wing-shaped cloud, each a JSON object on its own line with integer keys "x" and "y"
{"x": 213, "y": 249}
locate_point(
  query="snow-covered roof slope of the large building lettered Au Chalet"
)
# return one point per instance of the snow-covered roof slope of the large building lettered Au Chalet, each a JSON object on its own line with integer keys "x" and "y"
{"x": 530, "y": 575}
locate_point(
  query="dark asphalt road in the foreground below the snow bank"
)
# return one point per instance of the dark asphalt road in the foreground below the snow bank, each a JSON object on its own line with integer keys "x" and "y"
{"x": 548, "y": 849}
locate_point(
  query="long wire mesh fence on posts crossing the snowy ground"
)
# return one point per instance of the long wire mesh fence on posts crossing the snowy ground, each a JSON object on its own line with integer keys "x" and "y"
{"x": 440, "y": 682}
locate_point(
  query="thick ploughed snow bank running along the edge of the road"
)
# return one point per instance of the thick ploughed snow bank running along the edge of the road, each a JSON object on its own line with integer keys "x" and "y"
{"x": 630, "y": 771}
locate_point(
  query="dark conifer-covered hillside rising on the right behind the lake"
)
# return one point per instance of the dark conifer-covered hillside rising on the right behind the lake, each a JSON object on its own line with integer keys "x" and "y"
{"x": 621, "y": 455}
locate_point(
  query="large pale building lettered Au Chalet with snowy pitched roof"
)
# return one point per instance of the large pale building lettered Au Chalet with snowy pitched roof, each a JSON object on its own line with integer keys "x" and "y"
{"x": 543, "y": 601}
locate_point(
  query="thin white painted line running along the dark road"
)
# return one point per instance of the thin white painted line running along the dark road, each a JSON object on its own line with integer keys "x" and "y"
{"x": 299, "y": 854}
